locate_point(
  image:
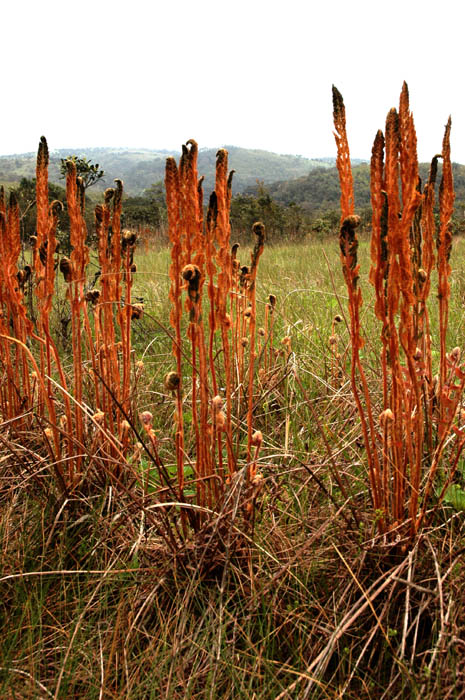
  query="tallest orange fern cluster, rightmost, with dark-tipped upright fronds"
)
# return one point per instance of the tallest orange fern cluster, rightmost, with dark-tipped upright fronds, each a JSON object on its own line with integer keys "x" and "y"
{"x": 420, "y": 422}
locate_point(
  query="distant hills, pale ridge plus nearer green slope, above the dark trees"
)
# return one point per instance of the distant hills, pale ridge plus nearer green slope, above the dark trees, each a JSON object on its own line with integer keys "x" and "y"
{"x": 312, "y": 183}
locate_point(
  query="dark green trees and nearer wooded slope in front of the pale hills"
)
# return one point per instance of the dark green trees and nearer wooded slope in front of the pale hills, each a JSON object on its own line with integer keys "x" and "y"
{"x": 290, "y": 209}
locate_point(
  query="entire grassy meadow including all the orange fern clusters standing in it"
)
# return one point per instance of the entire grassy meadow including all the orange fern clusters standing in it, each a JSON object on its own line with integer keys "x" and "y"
{"x": 235, "y": 472}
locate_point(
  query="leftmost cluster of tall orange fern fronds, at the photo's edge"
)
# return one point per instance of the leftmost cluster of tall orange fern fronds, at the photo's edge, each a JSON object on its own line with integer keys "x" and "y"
{"x": 37, "y": 388}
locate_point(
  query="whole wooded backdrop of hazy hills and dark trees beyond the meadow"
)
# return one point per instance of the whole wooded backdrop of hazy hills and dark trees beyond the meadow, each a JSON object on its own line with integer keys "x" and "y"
{"x": 294, "y": 196}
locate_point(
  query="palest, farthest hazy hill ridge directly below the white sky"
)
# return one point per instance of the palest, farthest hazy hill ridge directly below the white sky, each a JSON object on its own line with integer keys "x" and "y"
{"x": 140, "y": 168}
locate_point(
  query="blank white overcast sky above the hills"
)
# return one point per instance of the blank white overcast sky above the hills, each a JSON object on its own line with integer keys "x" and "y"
{"x": 252, "y": 73}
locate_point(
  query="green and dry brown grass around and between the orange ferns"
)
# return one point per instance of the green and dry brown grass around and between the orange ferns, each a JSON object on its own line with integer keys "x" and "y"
{"x": 93, "y": 606}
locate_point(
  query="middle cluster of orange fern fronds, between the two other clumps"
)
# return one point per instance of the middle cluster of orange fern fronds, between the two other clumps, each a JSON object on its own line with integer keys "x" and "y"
{"x": 205, "y": 267}
